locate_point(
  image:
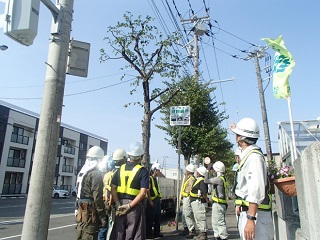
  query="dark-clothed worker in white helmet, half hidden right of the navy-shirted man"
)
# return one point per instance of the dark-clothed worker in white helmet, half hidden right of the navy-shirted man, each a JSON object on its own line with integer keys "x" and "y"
{"x": 153, "y": 213}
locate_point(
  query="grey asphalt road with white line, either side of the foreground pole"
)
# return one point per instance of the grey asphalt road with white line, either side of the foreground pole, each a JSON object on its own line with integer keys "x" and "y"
{"x": 62, "y": 220}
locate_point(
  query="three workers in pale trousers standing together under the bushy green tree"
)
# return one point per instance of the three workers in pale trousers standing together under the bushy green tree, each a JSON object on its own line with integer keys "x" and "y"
{"x": 194, "y": 201}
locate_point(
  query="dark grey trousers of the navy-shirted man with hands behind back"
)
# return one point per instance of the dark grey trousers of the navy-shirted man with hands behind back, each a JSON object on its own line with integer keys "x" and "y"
{"x": 131, "y": 225}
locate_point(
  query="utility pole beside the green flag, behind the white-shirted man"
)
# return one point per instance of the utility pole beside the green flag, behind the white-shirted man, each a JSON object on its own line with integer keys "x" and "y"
{"x": 256, "y": 55}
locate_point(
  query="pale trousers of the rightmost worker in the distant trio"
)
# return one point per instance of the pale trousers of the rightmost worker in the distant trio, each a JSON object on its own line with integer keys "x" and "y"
{"x": 218, "y": 220}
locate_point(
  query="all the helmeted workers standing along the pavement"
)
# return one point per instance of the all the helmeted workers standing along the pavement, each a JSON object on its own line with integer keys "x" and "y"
{"x": 126, "y": 203}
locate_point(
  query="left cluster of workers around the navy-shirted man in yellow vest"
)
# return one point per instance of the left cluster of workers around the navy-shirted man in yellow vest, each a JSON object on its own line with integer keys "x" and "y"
{"x": 124, "y": 203}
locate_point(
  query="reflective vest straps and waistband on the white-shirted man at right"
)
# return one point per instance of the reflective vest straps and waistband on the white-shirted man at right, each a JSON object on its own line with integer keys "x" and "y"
{"x": 266, "y": 203}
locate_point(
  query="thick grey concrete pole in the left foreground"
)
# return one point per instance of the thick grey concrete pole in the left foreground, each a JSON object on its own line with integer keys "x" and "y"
{"x": 37, "y": 215}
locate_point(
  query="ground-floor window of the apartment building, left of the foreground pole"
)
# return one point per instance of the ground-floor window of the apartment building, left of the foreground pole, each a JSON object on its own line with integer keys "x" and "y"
{"x": 12, "y": 183}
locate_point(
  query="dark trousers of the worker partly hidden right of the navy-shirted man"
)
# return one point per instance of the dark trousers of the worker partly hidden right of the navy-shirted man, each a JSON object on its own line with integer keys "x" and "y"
{"x": 153, "y": 217}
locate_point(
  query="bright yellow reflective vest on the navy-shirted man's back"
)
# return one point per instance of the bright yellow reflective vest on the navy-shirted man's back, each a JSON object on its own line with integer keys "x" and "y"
{"x": 126, "y": 187}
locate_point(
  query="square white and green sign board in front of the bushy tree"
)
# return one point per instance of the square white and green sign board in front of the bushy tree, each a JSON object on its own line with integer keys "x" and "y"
{"x": 180, "y": 116}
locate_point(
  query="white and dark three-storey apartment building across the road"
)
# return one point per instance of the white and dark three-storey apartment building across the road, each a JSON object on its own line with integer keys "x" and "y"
{"x": 18, "y": 133}
